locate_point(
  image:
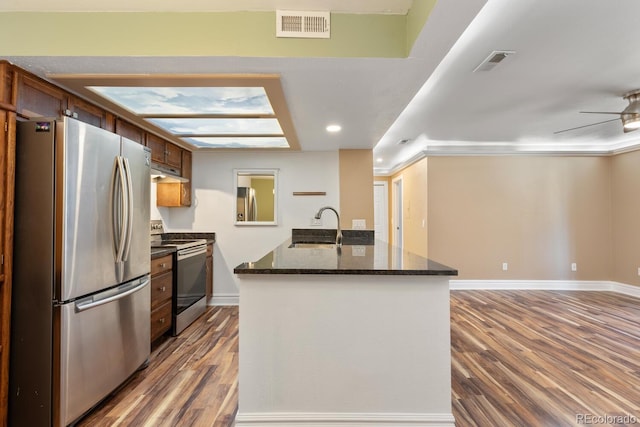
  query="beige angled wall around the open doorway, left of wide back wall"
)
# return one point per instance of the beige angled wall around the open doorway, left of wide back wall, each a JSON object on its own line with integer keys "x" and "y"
{"x": 414, "y": 208}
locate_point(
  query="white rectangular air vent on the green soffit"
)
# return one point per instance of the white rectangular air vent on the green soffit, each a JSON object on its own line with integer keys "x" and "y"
{"x": 311, "y": 25}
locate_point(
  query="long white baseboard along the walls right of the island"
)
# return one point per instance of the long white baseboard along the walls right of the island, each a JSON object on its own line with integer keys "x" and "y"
{"x": 564, "y": 285}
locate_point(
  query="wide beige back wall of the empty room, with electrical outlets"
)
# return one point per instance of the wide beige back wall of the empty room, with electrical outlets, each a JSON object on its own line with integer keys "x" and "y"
{"x": 538, "y": 214}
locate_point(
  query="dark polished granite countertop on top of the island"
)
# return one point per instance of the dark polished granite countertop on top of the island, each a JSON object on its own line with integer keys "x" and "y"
{"x": 379, "y": 258}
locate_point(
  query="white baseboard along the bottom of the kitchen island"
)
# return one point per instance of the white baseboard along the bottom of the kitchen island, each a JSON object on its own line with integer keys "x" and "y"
{"x": 315, "y": 419}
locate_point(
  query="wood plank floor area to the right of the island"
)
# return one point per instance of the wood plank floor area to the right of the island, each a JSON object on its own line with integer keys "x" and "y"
{"x": 543, "y": 358}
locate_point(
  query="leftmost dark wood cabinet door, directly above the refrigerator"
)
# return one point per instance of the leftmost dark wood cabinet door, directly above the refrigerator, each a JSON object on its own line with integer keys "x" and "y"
{"x": 38, "y": 99}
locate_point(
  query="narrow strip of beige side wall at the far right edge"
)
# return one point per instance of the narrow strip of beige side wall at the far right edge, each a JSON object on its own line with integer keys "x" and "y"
{"x": 625, "y": 179}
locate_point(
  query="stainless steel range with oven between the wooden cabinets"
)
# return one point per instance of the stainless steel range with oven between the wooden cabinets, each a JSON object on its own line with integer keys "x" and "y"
{"x": 189, "y": 276}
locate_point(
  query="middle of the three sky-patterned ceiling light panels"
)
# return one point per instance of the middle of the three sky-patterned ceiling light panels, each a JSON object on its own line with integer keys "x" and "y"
{"x": 219, "y": 126}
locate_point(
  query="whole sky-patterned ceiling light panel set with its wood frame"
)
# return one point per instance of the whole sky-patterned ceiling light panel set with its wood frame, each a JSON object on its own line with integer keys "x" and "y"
{"x": 244, "y": 111}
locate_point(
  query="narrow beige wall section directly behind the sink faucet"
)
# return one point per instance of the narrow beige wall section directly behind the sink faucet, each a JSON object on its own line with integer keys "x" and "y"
{"x": 356, "y": 187}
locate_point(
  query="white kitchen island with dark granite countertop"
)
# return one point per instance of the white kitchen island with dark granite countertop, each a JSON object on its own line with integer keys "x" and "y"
{"x": 353, "y": 336}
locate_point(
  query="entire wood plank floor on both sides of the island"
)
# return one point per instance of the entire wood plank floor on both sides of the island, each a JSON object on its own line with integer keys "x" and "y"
{"x": 519, "y": 358}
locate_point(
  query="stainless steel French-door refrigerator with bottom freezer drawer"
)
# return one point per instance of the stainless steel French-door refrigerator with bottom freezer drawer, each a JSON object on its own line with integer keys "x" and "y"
{"x": 81, "y": 296}
